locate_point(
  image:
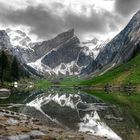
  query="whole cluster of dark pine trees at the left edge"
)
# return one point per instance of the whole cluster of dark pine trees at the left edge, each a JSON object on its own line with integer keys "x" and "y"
{"x": 10, "y": 69}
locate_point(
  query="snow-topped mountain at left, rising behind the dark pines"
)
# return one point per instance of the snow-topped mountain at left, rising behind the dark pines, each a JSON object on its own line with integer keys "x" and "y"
{"x": 11, "y": 52}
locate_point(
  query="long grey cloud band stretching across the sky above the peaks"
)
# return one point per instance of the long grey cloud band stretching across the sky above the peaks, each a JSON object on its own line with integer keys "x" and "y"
{"x": 45, "y": 23}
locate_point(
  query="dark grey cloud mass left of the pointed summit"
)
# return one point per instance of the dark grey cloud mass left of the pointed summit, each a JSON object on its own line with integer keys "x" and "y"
{"x": 41, "y": 21}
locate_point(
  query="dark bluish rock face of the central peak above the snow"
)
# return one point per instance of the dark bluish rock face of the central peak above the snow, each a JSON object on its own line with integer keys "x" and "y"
{"x": 66, "y": 52}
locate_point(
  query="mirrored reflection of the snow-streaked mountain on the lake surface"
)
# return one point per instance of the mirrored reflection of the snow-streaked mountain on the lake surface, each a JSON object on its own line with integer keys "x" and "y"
{"x": 81, "y": 112}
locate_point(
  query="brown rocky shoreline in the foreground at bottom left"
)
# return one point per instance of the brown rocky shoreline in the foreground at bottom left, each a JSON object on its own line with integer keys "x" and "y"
{"x": 16, "y": 126}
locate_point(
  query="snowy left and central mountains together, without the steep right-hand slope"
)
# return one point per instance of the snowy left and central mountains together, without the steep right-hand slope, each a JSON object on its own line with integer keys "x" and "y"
{"x": 64, "y": 54}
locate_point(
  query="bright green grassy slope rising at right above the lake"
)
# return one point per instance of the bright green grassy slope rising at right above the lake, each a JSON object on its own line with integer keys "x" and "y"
{"x": 128, "y": 72}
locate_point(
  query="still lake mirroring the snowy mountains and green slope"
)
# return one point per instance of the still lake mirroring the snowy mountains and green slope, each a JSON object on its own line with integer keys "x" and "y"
{"x": 77, "y": 110}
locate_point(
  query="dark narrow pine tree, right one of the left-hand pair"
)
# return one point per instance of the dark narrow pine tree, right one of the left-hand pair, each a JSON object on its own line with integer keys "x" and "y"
{"x": 15, "y": 69}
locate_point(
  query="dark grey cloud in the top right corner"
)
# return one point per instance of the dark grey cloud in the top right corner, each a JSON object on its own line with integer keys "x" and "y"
{"x": 127, "y": 7}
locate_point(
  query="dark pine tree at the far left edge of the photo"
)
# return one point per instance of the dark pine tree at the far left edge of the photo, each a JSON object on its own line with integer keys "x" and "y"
{"x": 3, "y": 65}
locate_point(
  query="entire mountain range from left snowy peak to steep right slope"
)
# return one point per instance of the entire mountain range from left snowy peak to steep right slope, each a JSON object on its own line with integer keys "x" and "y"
{"x": 66, "y": 55}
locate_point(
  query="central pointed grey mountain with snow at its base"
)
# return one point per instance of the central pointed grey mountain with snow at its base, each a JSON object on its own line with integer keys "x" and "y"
{"x": 63, "y": 54}
